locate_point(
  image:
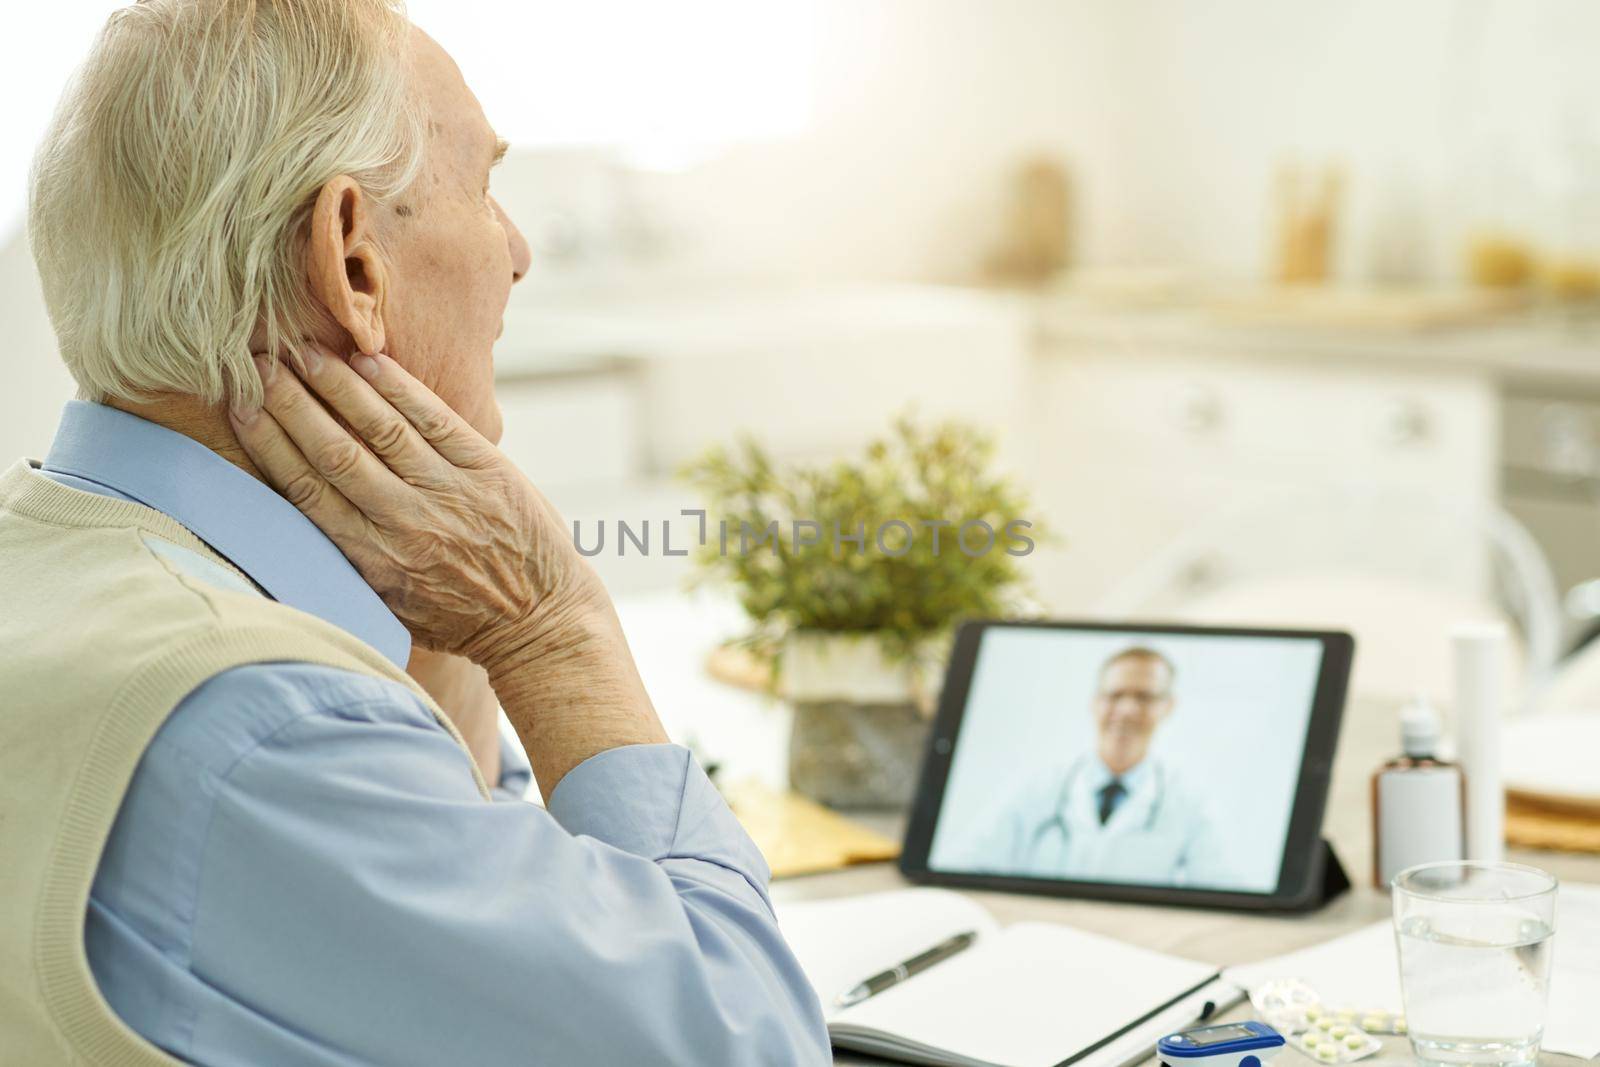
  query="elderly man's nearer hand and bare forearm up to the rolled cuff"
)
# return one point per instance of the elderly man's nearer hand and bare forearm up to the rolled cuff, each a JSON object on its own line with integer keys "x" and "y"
{"x": 458, "y": 543}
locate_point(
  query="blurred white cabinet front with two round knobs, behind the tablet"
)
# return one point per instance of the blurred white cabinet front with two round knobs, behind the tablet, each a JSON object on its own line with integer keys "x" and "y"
{"x": 1294, "y": 462}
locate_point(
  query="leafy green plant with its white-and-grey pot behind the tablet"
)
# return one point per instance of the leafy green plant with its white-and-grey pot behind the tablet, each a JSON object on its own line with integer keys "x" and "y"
{"x": 854, "y": 575}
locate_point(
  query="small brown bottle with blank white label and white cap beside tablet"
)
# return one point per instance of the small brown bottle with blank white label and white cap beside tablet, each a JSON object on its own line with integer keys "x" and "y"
{"x": 1418, "y": 801}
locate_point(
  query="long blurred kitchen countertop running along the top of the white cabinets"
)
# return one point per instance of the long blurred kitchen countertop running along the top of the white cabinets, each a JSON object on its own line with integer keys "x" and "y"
{"x": 602, "y": 332}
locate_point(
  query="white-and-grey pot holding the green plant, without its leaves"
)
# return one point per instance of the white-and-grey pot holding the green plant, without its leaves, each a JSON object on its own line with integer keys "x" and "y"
{"x": 860, "y": 721}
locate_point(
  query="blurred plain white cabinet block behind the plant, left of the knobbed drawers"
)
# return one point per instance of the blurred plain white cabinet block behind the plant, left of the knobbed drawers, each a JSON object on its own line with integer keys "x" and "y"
{"x": 606, "y": 401}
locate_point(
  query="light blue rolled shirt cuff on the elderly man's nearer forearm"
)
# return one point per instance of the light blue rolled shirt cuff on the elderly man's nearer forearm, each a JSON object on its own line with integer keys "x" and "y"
{"x": 657, "y": 802}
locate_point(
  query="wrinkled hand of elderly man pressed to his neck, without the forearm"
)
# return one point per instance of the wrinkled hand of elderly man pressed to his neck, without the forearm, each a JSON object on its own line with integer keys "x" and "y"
{"x": 457, "y": 541}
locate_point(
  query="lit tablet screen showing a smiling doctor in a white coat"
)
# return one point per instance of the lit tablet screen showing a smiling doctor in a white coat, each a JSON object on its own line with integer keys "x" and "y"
{"x": 1124, "y": 757}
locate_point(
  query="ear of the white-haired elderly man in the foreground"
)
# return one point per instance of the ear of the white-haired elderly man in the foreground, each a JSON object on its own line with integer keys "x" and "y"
{"x": 346, "y": 271}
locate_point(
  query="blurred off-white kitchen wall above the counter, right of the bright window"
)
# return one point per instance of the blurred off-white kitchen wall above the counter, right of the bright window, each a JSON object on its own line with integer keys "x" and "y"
{"x": 1174, "y": 118}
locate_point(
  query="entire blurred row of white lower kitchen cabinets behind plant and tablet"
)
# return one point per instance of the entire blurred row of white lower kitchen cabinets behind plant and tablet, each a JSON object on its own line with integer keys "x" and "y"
{"x": 1351, "y": 452}
